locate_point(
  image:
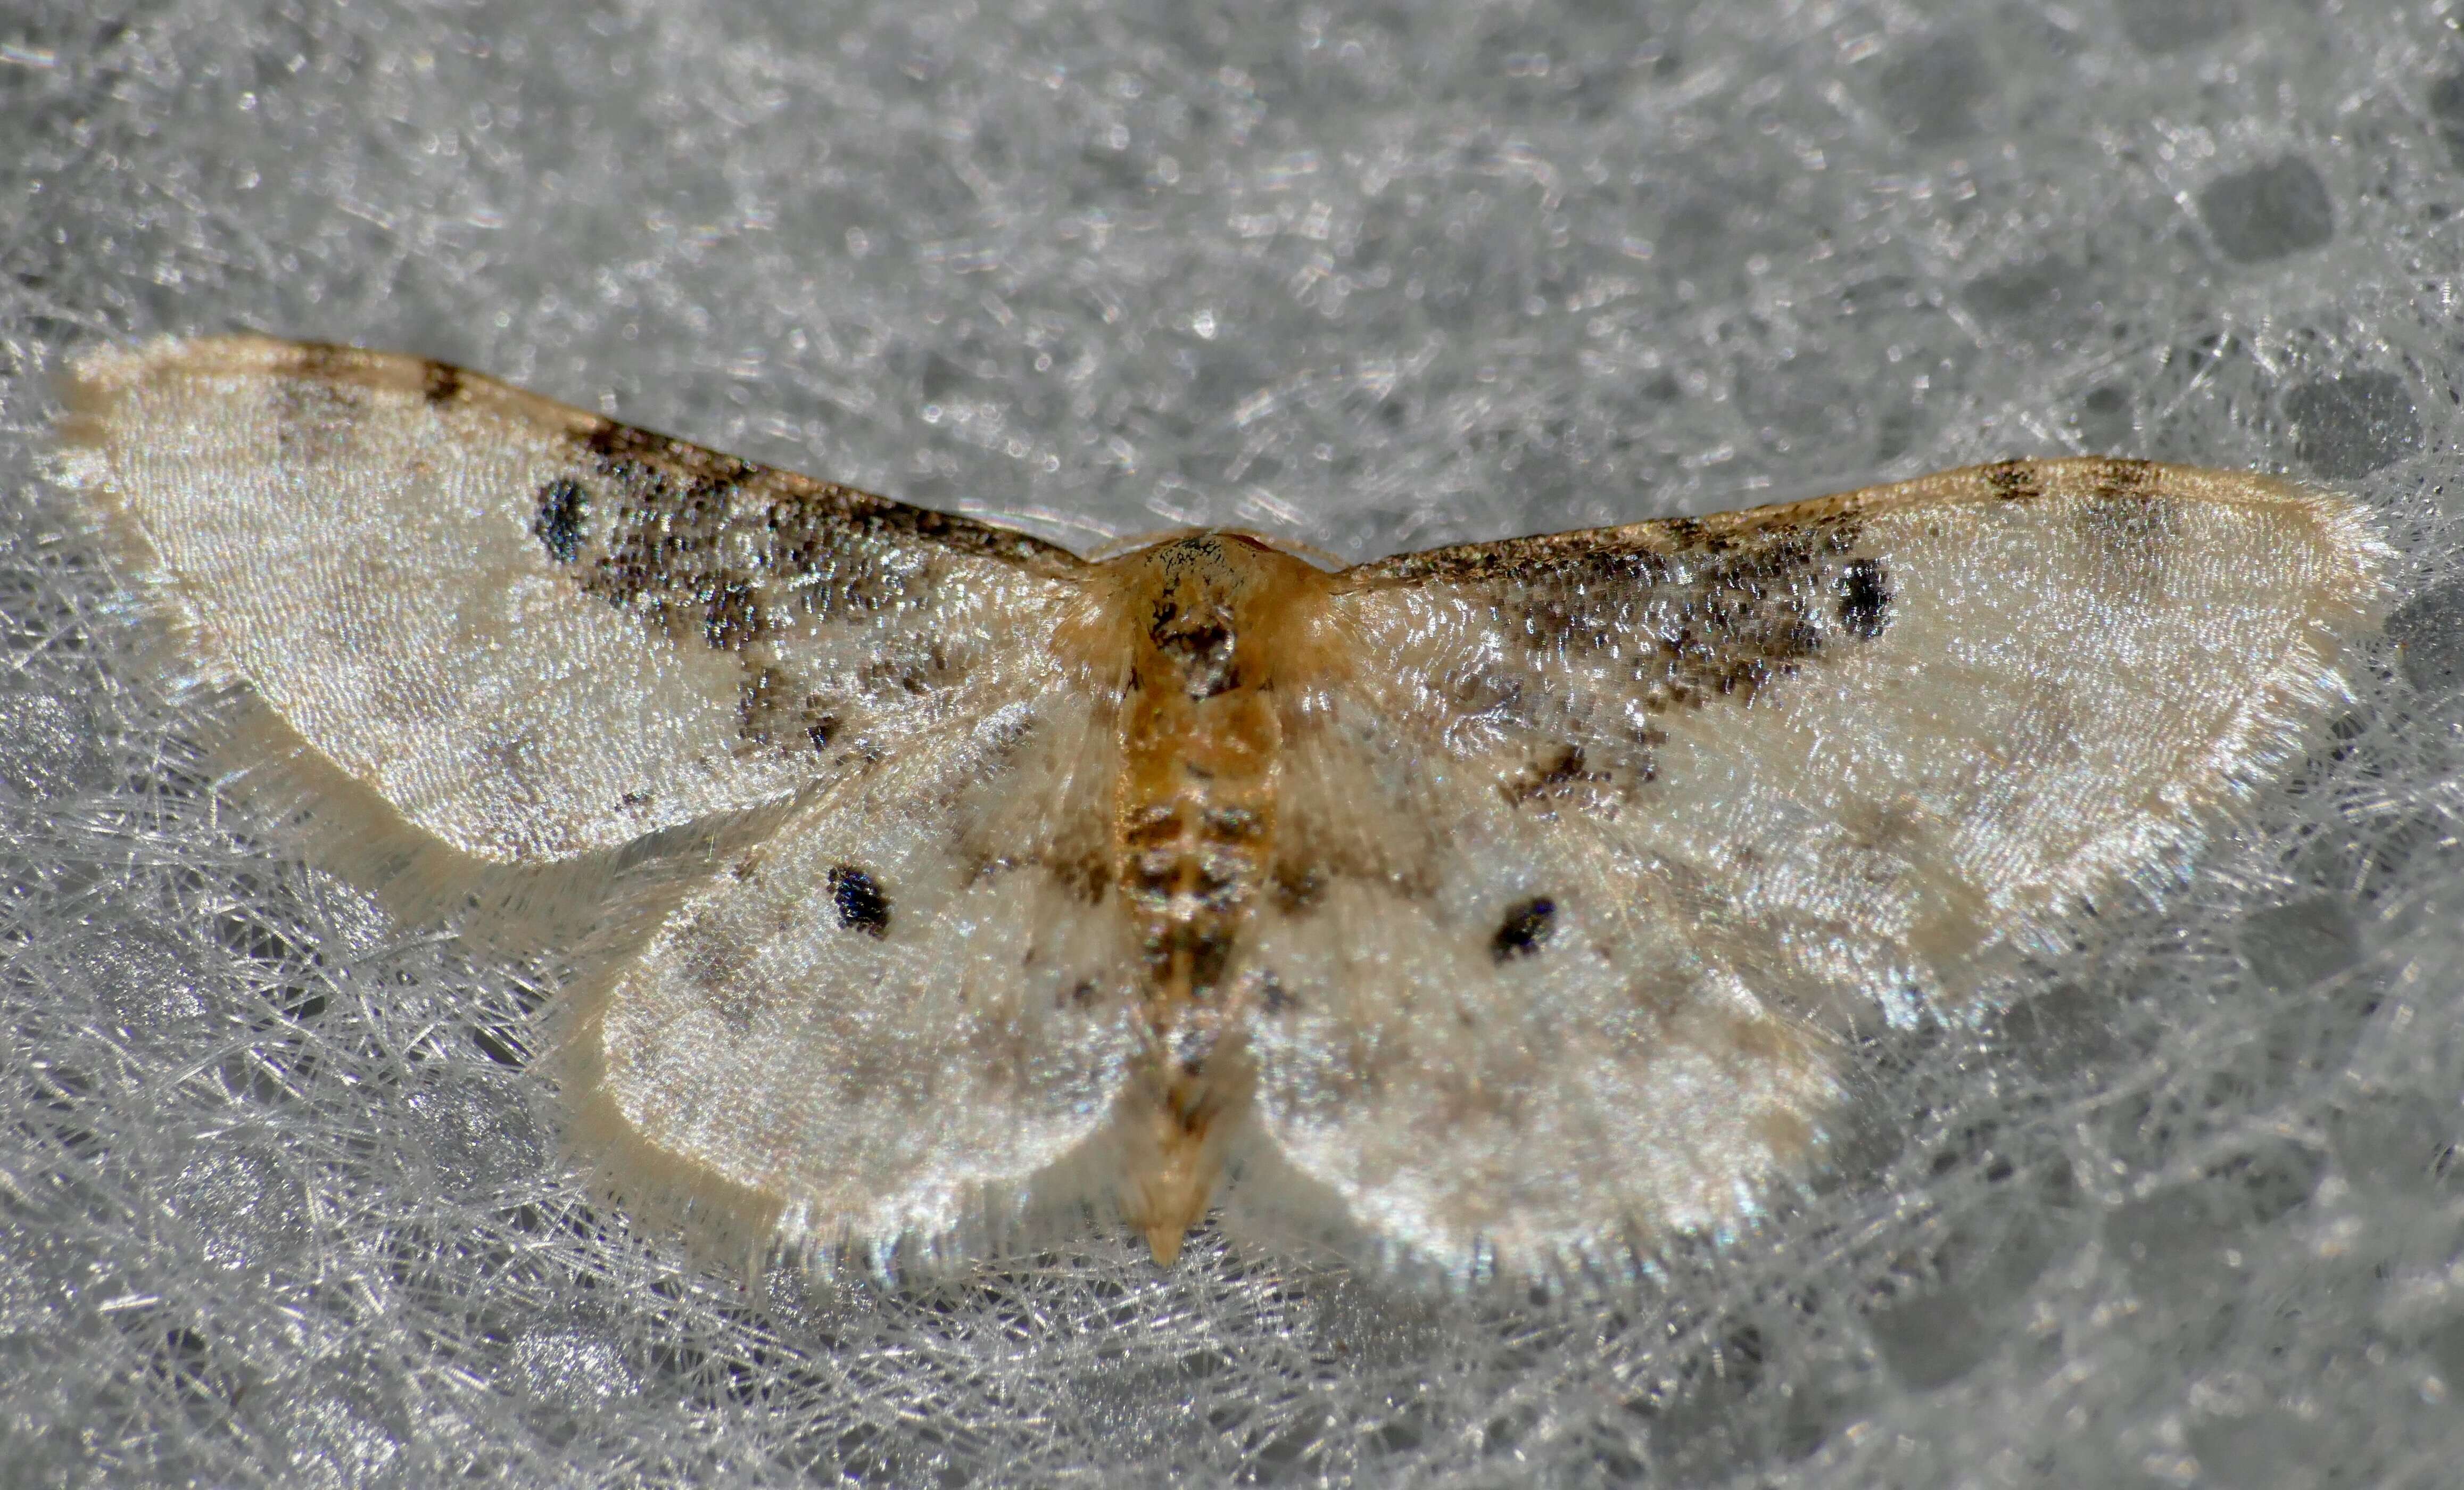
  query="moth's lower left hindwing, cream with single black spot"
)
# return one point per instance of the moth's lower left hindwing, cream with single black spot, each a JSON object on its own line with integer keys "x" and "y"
{"x": 888, "y": 1028}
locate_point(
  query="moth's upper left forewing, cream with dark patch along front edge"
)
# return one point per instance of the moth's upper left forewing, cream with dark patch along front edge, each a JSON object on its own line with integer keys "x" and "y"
{"x": 531, "y": 632}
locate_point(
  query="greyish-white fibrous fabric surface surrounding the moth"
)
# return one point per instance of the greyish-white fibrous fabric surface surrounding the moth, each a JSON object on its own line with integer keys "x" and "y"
{"x": 280, "y": 1201}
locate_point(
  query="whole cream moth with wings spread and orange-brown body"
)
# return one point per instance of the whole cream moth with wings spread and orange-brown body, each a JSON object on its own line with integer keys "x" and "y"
{"x": 1509, "y": 908}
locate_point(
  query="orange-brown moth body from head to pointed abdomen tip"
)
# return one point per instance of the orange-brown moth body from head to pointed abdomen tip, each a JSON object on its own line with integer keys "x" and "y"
{"x": 1211, "y": 627}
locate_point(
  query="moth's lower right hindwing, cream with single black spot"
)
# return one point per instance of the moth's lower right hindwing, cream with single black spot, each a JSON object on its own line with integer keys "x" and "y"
{"x": 1507, "y": 1048}
